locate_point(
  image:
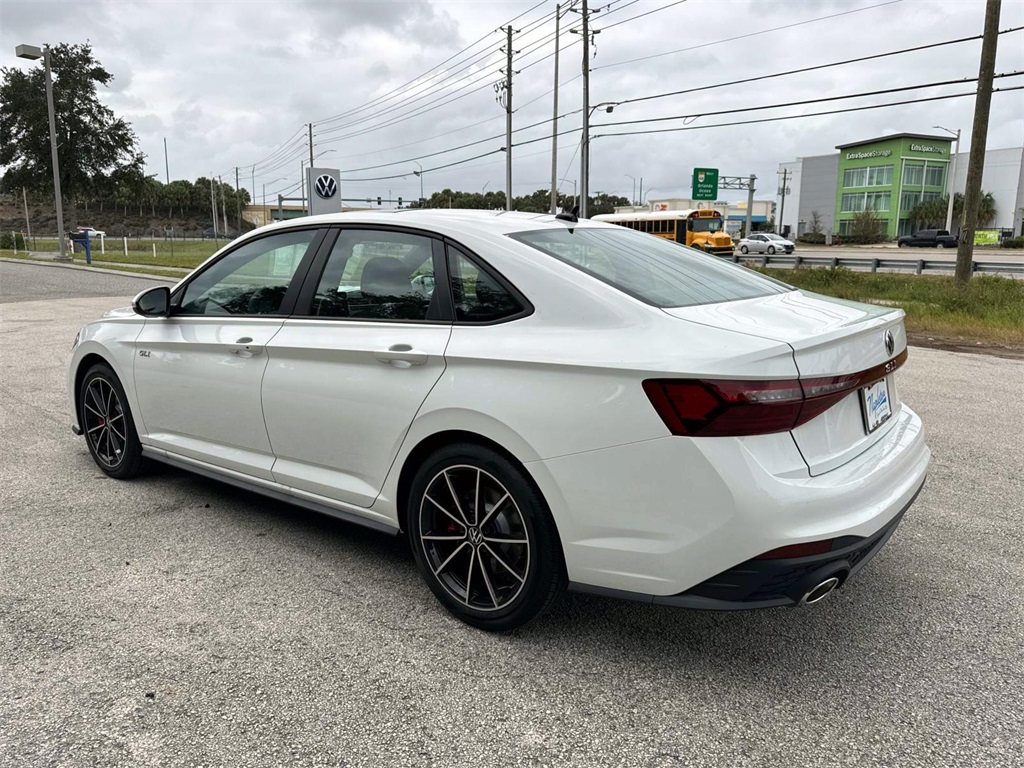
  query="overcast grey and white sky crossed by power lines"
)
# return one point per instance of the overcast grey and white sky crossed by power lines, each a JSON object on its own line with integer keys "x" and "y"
{"x": 391, "y": 84}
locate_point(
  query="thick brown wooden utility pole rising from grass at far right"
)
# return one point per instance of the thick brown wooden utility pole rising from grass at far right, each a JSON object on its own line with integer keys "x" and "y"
{"x": 979, "y": 136}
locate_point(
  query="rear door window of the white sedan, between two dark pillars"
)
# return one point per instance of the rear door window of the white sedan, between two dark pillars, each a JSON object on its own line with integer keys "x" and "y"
{"x": 378, "y": 275}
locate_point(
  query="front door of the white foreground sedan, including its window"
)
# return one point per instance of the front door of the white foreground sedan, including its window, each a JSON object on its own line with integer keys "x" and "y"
{"x": 198, "y": 372}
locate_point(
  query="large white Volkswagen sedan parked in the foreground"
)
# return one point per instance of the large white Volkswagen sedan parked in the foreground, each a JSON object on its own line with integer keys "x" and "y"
{"x": 536, "y": 403}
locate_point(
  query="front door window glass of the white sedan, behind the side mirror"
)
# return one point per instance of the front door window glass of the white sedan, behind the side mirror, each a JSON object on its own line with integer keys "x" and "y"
{"x": 251, "y": 280}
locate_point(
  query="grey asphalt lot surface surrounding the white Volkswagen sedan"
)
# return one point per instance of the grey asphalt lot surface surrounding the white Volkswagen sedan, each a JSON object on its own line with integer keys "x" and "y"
{"x": 174, "y": 621}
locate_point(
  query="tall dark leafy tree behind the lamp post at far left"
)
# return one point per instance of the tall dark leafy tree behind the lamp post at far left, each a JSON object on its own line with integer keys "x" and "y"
{"x": 94, "y": 143}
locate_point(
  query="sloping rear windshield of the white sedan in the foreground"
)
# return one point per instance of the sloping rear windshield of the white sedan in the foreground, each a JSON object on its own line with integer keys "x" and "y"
{"x": 653, "y": 270}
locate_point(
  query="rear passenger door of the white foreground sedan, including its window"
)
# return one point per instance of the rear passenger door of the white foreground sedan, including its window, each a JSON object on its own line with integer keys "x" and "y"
{"x": 346, "y": 381}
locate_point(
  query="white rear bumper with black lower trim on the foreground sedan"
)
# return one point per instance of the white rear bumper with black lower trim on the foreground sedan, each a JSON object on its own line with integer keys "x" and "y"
{"x": 671, "y": 521}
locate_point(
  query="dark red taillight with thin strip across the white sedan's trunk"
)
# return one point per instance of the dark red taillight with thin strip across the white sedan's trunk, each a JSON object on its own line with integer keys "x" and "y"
{"x": 720, "y": 408}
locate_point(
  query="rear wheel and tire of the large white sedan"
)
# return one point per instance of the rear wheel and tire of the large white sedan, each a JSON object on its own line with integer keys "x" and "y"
{"x": 496, "y": 577}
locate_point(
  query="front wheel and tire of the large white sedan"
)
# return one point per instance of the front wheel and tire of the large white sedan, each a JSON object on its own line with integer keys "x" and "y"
{"x": 108, "y": 424}
